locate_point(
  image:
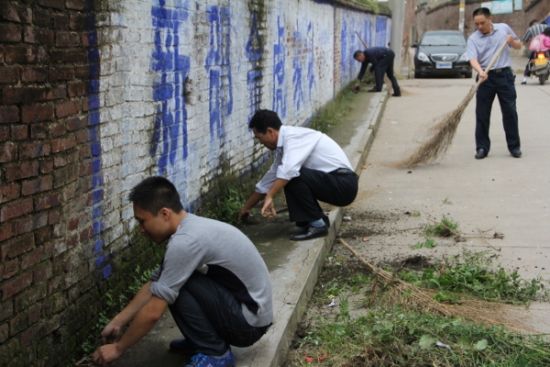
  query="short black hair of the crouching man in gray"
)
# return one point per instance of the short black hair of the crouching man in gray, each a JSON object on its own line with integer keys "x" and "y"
{"x": 155, "y": 193}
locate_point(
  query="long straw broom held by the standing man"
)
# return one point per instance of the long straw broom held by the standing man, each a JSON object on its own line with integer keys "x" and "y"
{"x": 444, "y": 131}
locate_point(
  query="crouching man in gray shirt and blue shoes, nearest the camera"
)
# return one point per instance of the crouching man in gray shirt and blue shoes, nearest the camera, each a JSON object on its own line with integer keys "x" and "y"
{"x": 212, "y": 279}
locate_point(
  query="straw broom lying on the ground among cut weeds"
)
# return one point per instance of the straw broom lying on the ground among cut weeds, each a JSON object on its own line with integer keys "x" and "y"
{"x": 474, "y": 310}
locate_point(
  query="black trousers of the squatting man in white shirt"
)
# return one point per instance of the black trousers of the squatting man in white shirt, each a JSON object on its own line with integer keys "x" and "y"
{"x": 303, "y": 192}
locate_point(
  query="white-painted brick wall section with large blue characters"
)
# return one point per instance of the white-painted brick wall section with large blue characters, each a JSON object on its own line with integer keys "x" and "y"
{"x": 181, "y": 78}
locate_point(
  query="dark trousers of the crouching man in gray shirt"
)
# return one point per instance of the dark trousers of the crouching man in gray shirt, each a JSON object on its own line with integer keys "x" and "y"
{"x": 210, "y": 317}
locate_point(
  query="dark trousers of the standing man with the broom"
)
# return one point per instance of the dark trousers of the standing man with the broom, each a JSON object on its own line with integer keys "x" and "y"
{"x": 499, "y": 84}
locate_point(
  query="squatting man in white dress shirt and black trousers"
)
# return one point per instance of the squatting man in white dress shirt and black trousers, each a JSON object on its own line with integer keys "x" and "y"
{"x": 309, "y": 166}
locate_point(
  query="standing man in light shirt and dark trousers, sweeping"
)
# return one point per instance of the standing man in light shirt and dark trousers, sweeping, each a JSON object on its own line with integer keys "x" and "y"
{"x": 499, "y": 81}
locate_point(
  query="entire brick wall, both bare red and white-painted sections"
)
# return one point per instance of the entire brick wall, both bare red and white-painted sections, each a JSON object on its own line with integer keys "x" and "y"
{"x": 97, "y": 95}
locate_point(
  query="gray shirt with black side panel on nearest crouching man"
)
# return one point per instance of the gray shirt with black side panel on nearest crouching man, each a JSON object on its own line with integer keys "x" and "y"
{"x": 223, "y": 253}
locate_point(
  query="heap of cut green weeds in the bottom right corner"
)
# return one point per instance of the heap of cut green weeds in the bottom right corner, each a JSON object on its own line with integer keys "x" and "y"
{"x": 394, "y": 336}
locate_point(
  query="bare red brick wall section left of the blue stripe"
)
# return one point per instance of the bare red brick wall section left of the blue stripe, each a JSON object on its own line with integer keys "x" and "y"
{"x": 44, "y": 175}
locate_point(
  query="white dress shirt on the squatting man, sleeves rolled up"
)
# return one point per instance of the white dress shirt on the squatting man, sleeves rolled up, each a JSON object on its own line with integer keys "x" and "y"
{"x": 299, "y": 147}
